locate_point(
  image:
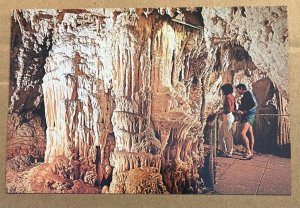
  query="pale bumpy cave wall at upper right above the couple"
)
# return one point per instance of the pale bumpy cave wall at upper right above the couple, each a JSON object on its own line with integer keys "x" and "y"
{"x": 261, "y": 31}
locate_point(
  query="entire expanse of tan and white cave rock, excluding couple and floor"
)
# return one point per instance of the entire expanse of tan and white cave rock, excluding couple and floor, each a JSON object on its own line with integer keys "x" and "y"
{"x": 122, "y": 95}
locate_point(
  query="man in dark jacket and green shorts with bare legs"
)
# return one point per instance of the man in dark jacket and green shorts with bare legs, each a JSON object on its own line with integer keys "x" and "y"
{"x": 247, "y": 110}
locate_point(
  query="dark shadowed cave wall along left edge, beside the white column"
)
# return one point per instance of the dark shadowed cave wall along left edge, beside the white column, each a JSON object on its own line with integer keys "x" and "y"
{"x": 31, "y": 39}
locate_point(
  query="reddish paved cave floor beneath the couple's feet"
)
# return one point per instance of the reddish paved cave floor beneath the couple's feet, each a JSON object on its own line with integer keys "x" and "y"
{"x": 263, "y": 175}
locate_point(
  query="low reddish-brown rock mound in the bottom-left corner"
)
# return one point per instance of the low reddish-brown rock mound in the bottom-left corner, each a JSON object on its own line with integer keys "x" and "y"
{"x": 59, "y": 176}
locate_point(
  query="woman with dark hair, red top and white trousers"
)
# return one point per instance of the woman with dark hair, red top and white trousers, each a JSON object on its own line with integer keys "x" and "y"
{"x": 225, "y": 133}
